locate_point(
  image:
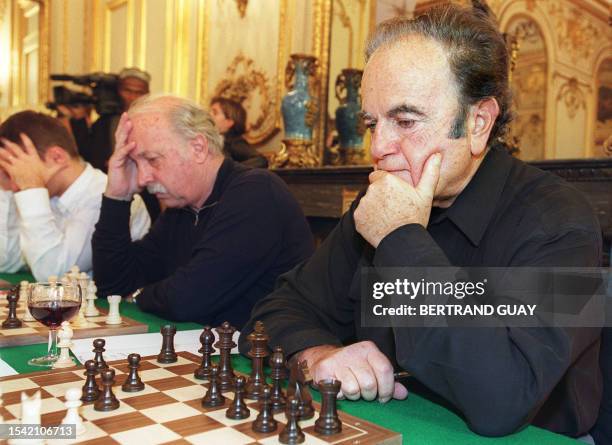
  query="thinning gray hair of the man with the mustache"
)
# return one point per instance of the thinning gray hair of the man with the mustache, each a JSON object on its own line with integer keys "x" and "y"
{"x": 188, "y": 119}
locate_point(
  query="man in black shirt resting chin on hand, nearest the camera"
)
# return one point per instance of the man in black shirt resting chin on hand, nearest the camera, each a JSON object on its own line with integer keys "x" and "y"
{"x": 435, "y": 98}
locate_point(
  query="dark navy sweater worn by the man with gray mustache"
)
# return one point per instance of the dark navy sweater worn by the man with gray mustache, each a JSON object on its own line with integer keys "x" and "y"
{"x": 208, "y": 266}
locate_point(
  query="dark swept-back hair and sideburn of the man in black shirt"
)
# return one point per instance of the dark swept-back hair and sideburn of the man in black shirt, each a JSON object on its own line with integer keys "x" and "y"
{"x": 477, "y": 55}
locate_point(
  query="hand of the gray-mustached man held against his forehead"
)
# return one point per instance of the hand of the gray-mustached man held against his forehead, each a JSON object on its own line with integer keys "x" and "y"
{"x": 122, "y": 171}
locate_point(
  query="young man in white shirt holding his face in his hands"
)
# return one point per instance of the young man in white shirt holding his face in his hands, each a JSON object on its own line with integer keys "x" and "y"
{"x": 49, "y": 198}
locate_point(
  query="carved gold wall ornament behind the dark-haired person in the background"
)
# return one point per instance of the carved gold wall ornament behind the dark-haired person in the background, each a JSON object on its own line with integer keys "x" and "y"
{"x": 244, "y": 83}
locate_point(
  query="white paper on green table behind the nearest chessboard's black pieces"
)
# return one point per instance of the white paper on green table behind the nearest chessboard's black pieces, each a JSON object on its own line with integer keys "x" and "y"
{"x": 118, "y": 347}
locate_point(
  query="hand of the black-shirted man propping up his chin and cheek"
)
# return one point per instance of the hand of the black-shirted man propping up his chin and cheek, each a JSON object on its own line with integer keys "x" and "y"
{"x": 391, "y": 202}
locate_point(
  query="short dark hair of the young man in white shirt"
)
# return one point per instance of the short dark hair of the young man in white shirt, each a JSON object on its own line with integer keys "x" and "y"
{"x": 44, "y": 131}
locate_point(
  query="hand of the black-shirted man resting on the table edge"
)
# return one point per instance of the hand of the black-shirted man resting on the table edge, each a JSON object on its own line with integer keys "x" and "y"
{"x": 363, "y": 370}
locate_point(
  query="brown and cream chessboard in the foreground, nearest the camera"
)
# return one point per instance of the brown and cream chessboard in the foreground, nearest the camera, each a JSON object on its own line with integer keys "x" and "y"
{"x": 168, "y": 410}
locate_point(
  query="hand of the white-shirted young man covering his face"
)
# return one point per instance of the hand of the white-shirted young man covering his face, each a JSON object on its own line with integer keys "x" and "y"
{"x": 24, "y": 166}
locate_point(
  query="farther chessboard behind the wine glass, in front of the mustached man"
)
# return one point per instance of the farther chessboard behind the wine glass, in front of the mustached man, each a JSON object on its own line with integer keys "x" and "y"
{"x": 32, "y": 332}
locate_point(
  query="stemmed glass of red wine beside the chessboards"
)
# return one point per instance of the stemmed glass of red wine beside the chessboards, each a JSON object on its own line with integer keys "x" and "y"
{"x": 51, "y": 304}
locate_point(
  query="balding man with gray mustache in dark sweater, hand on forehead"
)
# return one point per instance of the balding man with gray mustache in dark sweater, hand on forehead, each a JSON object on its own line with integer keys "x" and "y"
{"x": 226, "y": 234}
